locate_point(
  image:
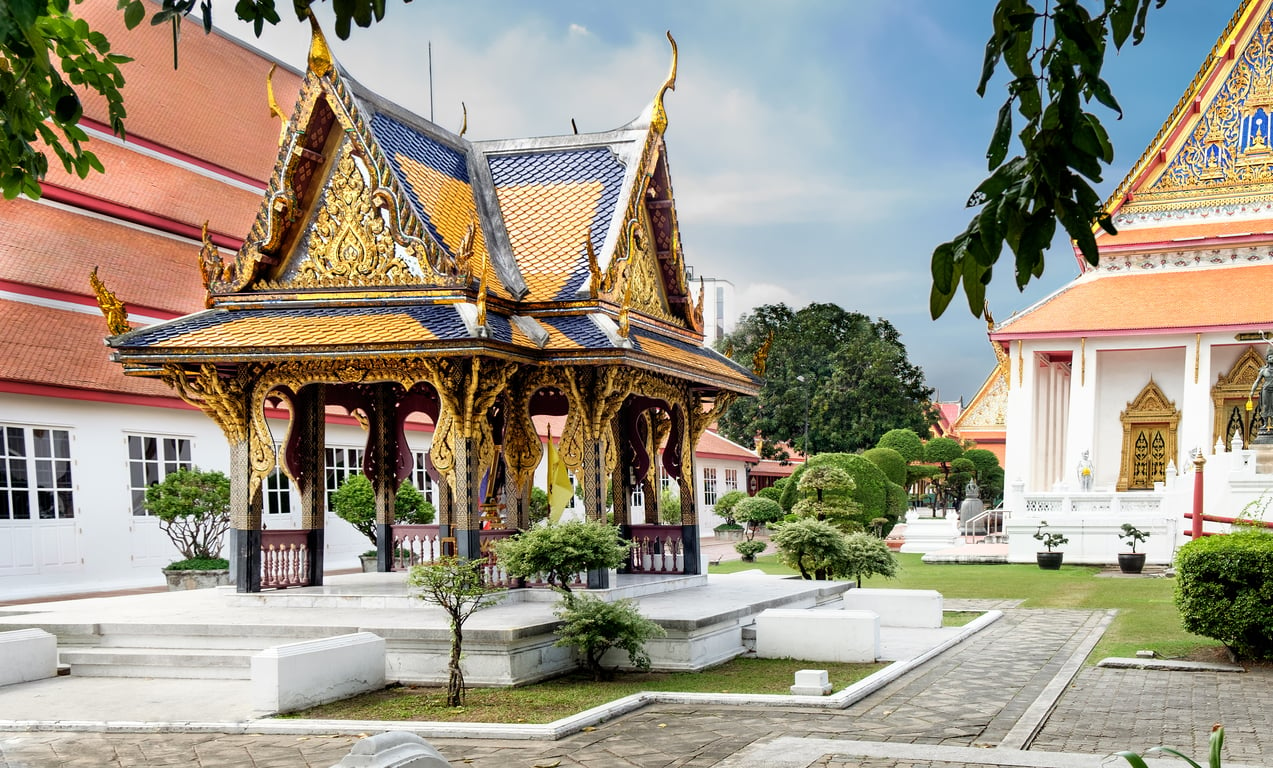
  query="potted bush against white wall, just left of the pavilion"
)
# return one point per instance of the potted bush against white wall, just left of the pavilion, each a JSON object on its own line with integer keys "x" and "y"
{"x": 194, "y": 510}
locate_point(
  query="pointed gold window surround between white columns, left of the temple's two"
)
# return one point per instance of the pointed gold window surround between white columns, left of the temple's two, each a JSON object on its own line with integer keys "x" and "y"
{"x": 1149, "y": 439}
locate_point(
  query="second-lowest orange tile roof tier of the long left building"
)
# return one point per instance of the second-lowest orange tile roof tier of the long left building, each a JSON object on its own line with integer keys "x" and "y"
{"x": 57, "y": 249}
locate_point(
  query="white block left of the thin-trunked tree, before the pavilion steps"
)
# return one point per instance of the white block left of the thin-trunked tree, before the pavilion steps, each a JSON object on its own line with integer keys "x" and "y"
{"x": 297, "y": 676}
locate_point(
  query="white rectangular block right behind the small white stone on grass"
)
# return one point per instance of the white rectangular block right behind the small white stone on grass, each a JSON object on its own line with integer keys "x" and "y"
{"x": 851, "y": 636}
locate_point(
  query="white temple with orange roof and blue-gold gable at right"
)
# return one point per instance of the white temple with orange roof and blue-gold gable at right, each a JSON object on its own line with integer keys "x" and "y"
{"x": 1149, "y": 357}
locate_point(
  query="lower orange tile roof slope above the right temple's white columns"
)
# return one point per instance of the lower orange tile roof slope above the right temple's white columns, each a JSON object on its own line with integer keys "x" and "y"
{"x": 1176, "y": 300}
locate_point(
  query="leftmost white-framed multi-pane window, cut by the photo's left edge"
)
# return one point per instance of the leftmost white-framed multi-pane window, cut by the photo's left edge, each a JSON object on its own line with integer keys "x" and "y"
{"x": 43, "y": 466}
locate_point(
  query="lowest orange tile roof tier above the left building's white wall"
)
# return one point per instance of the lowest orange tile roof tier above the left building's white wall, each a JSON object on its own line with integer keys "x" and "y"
{"x": 71, "y": 356}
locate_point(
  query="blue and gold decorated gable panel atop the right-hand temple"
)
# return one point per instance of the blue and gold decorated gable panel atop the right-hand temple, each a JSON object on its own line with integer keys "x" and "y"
{"x": 1232, "y": 146}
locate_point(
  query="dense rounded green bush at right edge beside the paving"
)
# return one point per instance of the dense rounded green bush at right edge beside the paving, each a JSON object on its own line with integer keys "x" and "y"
{"x": 1225, "y": 592}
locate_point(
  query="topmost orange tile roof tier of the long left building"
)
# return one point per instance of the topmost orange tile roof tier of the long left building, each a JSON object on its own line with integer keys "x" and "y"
{"x": 204, "y": 117}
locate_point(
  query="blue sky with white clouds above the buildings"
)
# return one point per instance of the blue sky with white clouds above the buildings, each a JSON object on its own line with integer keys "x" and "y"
{"x": 819, "y": 150}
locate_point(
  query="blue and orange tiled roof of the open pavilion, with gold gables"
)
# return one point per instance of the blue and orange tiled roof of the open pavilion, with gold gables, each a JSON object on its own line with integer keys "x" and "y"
{"x": 390, "y": 253}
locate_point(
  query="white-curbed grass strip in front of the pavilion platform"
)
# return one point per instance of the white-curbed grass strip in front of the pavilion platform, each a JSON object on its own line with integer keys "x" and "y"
{"x": 553, "y": 700}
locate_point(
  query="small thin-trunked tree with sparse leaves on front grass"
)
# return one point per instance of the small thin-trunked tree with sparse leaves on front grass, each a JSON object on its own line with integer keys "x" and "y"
{"x": 458, "y": 587}
